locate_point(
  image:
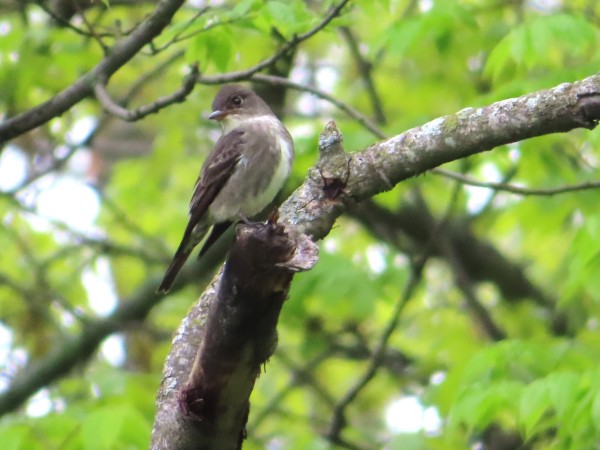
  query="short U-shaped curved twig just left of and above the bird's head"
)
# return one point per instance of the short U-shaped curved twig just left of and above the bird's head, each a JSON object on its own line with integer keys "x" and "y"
{"x": 132, "y": 115}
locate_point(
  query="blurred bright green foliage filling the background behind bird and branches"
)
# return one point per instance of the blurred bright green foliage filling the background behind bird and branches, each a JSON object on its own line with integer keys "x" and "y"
{"x": 426, "y": 59}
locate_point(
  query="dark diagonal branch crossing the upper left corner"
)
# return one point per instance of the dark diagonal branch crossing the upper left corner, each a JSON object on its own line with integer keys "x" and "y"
{"x": 121, "y": 53}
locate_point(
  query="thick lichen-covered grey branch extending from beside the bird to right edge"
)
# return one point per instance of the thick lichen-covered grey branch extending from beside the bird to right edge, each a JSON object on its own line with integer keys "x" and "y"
{"x": 473, "y": 130}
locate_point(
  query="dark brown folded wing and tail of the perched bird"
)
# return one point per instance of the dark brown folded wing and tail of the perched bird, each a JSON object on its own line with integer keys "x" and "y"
{"x": 217, "y": 169}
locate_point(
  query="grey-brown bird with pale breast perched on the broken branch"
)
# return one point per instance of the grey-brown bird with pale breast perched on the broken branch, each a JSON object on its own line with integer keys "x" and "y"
{"x": 247, "y": 168}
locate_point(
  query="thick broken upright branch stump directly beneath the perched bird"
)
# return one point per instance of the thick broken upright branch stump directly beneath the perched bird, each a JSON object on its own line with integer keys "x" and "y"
{"x": 206, "y": 405}
